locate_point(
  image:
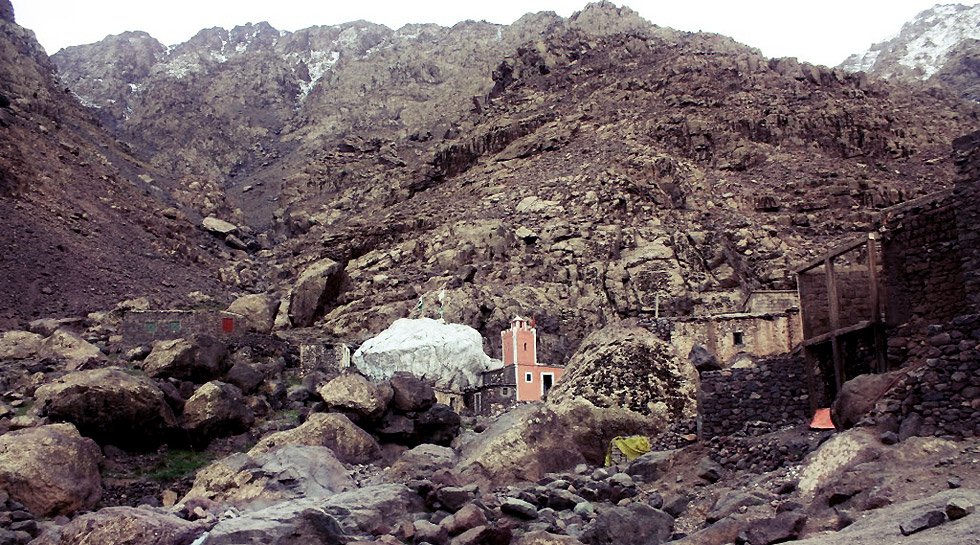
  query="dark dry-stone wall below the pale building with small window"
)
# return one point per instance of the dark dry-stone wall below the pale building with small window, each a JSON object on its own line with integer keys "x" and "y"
{"x": 773, "y": 392}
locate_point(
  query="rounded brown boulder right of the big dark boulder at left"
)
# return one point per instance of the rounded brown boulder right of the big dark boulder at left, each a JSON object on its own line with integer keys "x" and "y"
{"x": 214, "y": 410}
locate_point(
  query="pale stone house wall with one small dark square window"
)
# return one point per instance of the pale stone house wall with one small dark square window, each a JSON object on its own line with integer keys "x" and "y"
{"x": 727, "y": 335}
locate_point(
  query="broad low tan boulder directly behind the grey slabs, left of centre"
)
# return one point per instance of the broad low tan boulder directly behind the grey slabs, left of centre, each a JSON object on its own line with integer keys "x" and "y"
{"x": 335, "y": 431}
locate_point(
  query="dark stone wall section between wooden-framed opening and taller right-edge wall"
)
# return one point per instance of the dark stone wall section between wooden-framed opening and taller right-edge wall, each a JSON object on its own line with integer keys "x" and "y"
{"x": 922, "y": 264}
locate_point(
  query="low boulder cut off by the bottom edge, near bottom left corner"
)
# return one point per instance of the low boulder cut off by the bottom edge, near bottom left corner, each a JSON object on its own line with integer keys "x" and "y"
{"x": 124, "y": 526}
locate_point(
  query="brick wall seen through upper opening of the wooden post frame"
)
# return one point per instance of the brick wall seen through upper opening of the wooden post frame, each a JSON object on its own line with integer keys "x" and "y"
{"x": 854, "y": 299}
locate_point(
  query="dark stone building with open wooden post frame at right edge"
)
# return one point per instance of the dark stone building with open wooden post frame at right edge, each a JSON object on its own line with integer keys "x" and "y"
{"x": 921, "y": 269}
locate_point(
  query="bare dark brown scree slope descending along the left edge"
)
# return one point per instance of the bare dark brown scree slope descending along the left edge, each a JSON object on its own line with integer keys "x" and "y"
{"x": 79, "y": 229}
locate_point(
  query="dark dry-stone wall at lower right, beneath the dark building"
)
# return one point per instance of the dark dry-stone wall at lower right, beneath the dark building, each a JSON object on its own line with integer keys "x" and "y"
{"x": 940, "y": 395}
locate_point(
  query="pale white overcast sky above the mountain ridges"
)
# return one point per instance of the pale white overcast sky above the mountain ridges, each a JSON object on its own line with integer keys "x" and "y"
{"x": 817, "y": 31}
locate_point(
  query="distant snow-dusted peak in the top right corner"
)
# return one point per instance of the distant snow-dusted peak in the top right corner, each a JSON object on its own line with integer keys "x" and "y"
{"x": 942, "y": 44}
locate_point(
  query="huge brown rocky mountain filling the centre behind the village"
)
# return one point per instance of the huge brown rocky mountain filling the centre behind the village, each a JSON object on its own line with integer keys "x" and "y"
{"x": 582, "y": 171}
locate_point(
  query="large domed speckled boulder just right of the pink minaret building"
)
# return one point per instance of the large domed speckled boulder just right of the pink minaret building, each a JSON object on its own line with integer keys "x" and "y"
{"x": 631, "y": 368}
